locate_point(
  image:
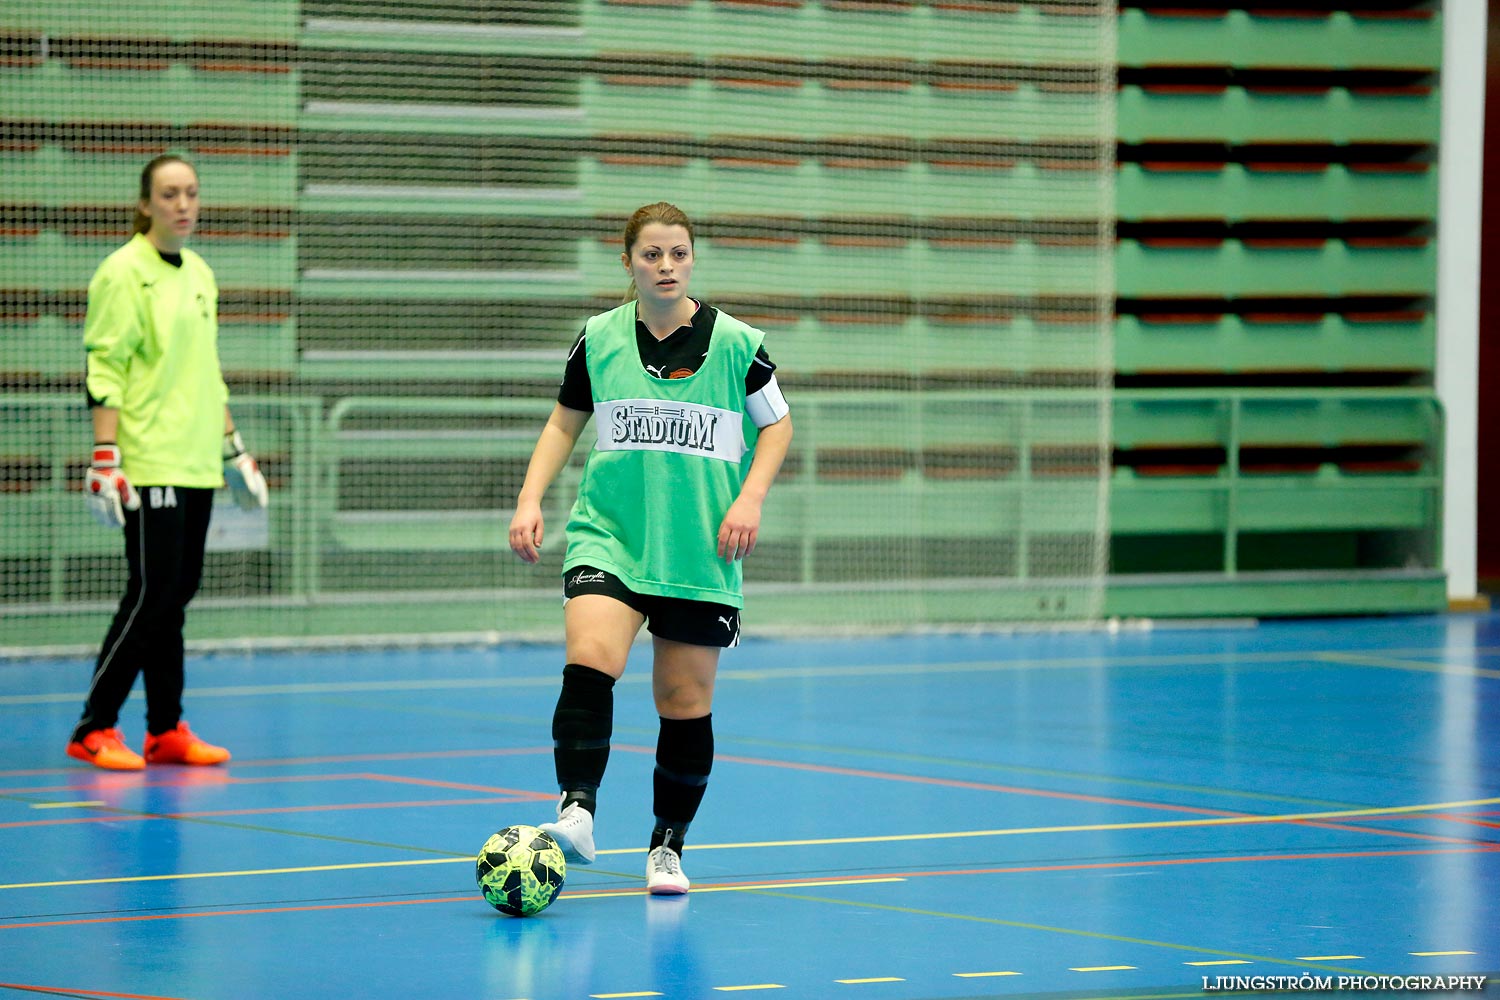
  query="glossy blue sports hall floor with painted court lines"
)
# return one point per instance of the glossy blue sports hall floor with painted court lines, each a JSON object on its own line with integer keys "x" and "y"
{"x": 1066, "y": 816}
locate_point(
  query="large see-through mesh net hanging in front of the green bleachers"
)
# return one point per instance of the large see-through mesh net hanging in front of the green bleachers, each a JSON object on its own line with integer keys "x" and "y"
{"x": 412, "y": 209}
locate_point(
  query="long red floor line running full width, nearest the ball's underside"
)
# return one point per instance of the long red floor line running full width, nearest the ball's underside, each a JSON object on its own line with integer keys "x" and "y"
{"x": 772, "y": 882}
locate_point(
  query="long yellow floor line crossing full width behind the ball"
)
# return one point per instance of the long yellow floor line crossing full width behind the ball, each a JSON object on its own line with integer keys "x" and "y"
{"x": 1090, "y": 828}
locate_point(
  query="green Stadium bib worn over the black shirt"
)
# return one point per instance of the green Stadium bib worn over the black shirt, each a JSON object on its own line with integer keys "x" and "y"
{"x": 668, "y": 463}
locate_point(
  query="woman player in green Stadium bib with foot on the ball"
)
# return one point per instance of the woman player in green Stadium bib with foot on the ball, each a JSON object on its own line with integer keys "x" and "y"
{"x": 691, "y": 431}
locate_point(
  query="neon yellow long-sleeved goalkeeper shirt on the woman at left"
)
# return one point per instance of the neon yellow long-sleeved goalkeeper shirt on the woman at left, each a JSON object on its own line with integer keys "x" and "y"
{"x": 152, "y": 340}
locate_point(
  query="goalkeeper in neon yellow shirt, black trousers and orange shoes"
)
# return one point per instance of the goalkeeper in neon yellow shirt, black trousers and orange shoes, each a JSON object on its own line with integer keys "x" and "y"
{"x": 164, "y": 443}
